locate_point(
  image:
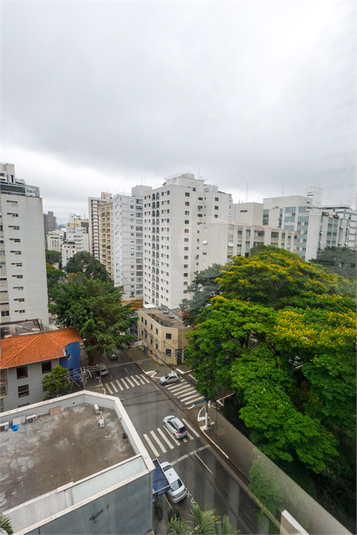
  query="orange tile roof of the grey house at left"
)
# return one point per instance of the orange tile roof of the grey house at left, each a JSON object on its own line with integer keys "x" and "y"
{"x": 27, "y": 348}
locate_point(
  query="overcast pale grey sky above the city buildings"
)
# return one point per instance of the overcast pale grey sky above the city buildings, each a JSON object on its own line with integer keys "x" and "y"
{"x": 102, "y": 96}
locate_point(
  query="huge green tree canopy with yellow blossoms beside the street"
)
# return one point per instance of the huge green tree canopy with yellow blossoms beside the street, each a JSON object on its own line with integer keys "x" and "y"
{"x": 282, "y": 338}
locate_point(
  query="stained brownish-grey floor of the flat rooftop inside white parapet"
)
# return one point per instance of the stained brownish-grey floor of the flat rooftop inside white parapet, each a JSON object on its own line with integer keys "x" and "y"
{"x": 58, "y": 449}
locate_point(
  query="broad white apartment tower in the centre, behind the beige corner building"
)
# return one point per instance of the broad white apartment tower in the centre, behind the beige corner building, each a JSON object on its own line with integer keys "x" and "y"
{"x": 174, "y": 217}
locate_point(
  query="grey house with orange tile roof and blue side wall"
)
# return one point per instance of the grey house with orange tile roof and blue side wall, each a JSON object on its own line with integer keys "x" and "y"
{"x": 27, "y": 358}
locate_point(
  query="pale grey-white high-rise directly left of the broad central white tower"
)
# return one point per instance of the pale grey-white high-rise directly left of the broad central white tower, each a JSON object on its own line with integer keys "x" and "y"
{"x": 128, "y": 241}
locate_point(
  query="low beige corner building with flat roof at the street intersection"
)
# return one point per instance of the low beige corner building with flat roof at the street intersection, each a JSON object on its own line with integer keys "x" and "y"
{"x": 163, "y": 335}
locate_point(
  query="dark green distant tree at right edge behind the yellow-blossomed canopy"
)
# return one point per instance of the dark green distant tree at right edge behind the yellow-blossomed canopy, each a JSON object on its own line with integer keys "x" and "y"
{"x": 340, "y": 260}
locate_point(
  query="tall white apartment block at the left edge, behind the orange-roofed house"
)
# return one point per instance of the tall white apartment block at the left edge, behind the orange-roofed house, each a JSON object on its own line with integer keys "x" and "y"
{"x": 23, "y": 284}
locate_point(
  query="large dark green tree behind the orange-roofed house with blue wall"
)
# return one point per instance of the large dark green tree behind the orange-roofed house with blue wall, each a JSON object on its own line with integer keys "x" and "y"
{"x": 95, "y": 309}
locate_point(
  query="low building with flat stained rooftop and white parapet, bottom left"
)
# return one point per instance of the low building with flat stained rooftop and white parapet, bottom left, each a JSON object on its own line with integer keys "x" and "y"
{"x": 78, "y": 466}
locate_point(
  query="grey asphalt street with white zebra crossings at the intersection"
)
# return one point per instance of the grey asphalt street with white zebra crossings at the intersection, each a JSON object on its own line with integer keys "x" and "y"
{"x": 209, "y": 480}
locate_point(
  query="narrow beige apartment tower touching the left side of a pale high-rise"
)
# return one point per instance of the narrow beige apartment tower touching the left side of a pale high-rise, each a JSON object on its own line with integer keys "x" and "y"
{"x": 106, "y": 249}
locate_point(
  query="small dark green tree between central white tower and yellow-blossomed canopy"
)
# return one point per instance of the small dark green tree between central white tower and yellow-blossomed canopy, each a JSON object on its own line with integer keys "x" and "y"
{"x": 203, "y": 288}
